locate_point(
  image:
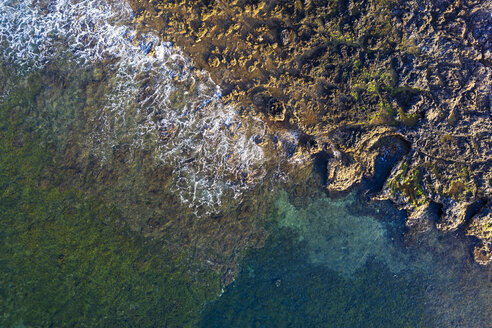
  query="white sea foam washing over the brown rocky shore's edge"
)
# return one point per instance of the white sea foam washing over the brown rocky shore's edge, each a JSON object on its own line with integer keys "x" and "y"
{"x": 154, "y": 97}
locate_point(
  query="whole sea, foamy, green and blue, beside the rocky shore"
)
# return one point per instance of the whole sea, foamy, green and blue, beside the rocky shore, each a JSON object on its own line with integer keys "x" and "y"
{"x": 79, "y": 86}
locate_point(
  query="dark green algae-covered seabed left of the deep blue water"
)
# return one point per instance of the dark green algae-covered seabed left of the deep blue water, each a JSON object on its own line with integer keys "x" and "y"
{"x": 66, "y": 257}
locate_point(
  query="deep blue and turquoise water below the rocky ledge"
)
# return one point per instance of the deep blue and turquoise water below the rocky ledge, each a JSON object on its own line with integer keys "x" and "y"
{"x": 347, "y": 263}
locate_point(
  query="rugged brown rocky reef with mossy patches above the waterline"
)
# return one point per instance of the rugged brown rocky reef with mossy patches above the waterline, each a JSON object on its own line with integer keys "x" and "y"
{"x": 396, "y": 93}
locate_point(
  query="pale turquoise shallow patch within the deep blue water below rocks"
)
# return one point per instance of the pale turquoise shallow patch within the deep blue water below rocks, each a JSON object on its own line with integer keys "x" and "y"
{"x": 336, "y": 237}
